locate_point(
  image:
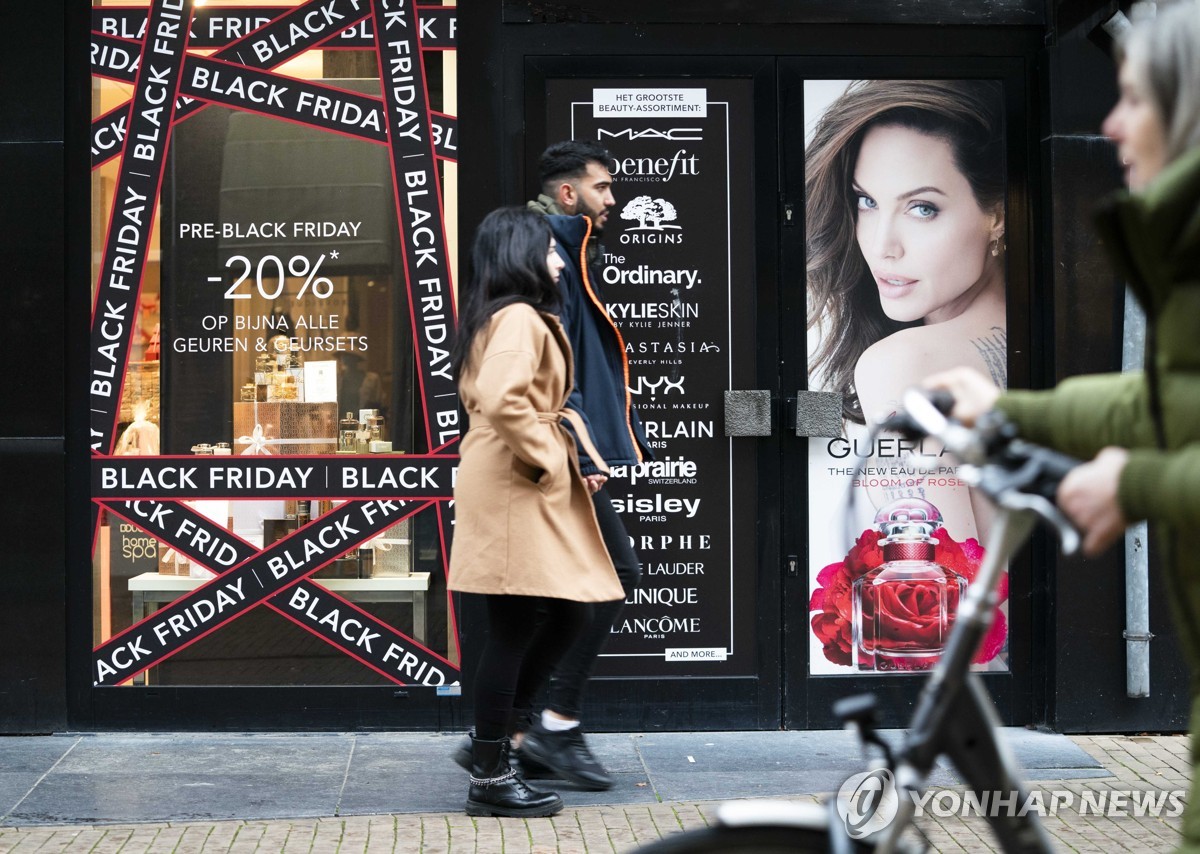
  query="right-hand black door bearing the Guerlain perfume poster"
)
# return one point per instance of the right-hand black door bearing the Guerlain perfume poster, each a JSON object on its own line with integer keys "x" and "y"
{"x": 874, "y": 176}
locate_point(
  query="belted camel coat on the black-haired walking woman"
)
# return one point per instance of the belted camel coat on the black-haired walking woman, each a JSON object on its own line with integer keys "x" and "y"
{"x": 525, "y": 525}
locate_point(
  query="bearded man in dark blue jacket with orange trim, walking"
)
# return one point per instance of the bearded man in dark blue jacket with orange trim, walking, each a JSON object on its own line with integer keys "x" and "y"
{"x": 577, "y": 197}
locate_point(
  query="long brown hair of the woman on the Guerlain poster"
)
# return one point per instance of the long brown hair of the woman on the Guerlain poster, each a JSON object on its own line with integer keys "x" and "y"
{"x": 843, "y": 297}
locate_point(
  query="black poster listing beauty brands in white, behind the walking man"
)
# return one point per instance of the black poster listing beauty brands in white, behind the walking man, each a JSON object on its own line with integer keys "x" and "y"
{"x": 677, "y": 275}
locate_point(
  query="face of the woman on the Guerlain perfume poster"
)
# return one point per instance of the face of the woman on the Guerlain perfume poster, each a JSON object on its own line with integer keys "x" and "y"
{"x": 920, "y": 228}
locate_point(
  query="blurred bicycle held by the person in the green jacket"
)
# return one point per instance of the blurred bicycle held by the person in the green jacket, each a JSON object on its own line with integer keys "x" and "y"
{"x": 955, "y": 717}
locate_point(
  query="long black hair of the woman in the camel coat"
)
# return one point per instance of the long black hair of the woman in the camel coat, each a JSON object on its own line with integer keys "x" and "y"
{"x": 508, "y": 260}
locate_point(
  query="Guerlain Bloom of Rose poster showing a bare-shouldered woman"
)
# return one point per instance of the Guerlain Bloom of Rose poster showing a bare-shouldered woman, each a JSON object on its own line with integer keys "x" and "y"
{"x": 905, "y": 189}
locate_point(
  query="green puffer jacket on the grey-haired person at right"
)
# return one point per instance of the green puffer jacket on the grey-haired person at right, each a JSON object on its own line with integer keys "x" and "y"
{"x": 1155, "y": 242}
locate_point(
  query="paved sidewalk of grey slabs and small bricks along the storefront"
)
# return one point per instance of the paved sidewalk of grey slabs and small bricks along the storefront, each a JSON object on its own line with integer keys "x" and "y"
{"x": 110, "y": 793}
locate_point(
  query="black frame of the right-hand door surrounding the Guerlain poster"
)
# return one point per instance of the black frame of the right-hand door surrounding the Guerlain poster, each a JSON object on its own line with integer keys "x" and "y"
{"x": 1013, "y": 691}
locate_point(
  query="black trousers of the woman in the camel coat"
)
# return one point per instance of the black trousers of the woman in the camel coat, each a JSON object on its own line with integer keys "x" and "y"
{"x": 519, "y": 628}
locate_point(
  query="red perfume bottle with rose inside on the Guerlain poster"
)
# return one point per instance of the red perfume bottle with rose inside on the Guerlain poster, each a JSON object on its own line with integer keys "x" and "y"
{"x": 904, "y": 609}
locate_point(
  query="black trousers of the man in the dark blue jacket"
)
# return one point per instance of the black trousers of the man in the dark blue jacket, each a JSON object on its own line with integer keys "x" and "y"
{"x": 571, "y": 672}
